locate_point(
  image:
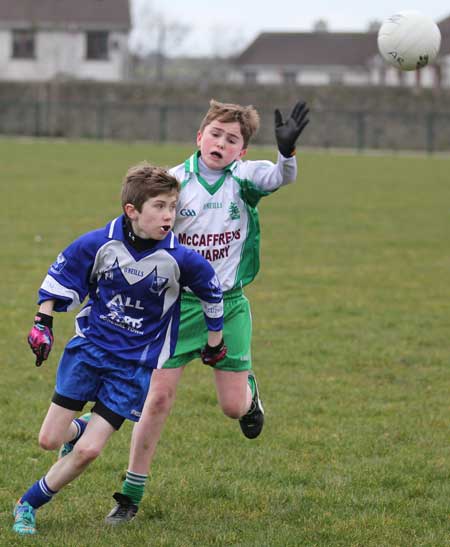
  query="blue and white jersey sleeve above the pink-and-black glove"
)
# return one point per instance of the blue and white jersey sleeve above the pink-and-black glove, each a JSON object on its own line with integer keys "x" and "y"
{"x": 68, "y": 278}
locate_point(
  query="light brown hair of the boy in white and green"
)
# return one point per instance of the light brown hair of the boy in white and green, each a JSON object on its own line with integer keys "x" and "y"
{"x": 246, "y": 116}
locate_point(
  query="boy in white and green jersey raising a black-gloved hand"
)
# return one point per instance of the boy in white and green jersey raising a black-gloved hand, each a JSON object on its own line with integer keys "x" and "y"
{"x": 217, "y": 216}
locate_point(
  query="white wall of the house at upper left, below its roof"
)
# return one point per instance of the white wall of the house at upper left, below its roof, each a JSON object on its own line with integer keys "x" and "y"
{"x": 59, "y": 54}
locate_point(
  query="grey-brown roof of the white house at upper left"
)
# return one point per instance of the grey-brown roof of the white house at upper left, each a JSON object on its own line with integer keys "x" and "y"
{"x": 85, "y": 14}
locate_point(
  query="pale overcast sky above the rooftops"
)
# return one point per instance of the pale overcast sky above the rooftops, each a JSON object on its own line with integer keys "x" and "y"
{"x": 230, "y": 25}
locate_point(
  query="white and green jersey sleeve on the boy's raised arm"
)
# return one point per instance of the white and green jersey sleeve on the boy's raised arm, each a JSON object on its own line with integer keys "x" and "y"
{"x": 261, "y": 178}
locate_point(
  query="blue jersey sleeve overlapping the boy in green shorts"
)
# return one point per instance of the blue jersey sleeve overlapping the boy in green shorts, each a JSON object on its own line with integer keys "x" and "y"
{"x": 198, "y": 274}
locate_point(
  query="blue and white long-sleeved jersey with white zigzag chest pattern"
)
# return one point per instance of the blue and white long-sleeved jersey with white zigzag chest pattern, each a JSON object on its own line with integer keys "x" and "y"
{"x": 133, "y": 309}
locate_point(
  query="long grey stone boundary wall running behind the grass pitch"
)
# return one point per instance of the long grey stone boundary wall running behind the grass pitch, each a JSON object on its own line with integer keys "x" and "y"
{"x": 349, "y": 117}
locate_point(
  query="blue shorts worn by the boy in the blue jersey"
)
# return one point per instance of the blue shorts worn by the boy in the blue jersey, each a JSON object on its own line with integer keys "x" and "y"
{"x": 89, "y": 373}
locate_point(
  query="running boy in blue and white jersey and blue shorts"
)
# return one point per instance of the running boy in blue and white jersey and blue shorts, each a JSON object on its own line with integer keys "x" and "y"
{"x": 132, "y": 271}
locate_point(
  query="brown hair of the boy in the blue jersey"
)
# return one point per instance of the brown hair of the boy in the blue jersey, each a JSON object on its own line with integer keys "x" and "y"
{"x": 144, "y": 181}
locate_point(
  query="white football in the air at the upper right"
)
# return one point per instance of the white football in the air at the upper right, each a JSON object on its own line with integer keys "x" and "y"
{"x": 409, "y": 40}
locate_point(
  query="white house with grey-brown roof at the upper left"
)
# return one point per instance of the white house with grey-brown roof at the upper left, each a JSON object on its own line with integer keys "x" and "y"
{"x": 45, "y": 39}
